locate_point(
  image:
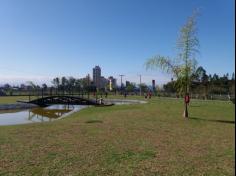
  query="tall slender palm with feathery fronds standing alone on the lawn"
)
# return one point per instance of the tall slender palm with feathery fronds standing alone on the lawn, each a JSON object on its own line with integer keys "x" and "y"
{"x": 181, "y": 67}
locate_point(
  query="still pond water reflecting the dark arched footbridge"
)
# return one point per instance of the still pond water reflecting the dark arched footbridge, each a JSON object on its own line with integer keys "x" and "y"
{"x": 50, "y": 113}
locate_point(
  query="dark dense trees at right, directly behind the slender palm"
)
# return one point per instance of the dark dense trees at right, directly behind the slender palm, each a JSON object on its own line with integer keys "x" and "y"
{"x": 204, "y": 85}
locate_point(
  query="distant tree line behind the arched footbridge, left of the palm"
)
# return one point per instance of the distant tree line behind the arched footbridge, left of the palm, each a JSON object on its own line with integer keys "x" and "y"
{"x": 70, "y": 85}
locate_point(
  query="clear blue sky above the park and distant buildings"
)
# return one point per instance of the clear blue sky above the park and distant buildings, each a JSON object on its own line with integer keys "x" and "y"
{"x": 42, "y": 39}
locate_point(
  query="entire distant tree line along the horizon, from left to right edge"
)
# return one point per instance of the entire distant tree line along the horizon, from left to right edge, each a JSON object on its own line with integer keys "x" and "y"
{"x": 201, "y": 84}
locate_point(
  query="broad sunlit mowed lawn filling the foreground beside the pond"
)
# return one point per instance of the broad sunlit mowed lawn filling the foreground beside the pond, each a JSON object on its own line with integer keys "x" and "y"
{"x": 146, "y": 139}
